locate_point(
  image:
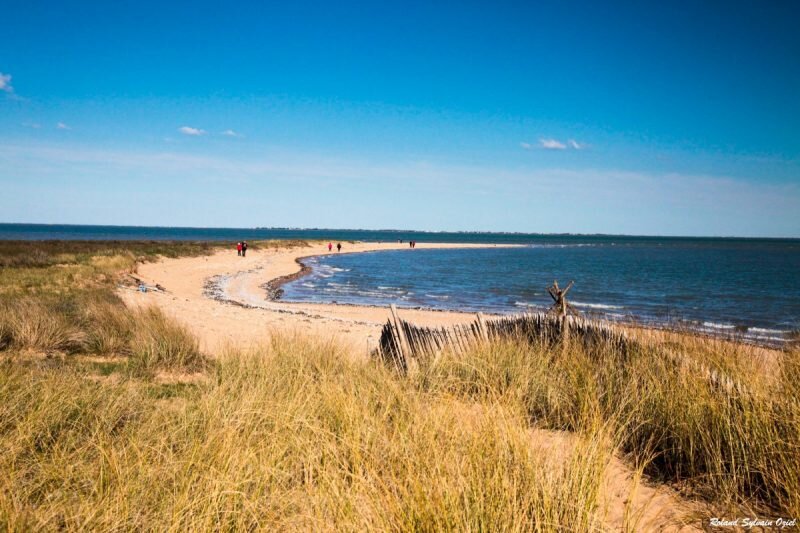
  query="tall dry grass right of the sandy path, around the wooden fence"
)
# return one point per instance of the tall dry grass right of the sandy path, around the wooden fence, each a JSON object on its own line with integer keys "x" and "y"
{"x": 737, "y": 448}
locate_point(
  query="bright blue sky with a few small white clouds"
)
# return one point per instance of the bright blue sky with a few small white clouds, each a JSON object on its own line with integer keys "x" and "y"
{"x": 681, "y": 118}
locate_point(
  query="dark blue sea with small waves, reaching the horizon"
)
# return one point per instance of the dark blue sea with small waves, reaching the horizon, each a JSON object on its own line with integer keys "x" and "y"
{"x": 748, "y": 287}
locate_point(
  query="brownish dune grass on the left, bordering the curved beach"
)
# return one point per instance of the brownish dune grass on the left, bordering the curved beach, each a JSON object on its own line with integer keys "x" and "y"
{"x": 57, "y": 297}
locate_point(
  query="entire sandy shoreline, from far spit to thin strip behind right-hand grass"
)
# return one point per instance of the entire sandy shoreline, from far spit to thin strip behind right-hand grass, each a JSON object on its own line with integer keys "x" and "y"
{"x": 198, "y": 289}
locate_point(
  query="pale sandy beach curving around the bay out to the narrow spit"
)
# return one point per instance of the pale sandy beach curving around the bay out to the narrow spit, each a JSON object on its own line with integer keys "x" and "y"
{"x": 249, "y": 317}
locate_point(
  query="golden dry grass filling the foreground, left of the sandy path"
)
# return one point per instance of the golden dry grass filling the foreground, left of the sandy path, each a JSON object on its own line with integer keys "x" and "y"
{"x": 290, "y": 436}
